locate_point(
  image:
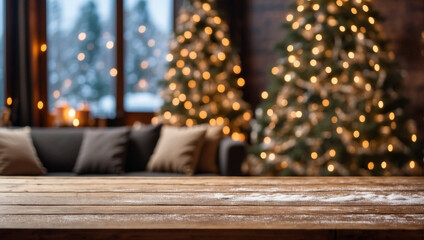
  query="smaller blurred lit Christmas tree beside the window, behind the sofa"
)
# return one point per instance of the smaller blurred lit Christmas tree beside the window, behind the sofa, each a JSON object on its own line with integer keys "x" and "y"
{"x": 203, "y": 81}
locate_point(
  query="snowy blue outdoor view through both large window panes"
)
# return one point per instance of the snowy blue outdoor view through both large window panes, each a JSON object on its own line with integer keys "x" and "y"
{"x": 81, "y": 37}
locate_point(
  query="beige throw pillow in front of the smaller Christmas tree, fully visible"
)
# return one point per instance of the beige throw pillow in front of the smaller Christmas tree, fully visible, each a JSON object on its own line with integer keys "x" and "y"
{"x": 177, "y": 150}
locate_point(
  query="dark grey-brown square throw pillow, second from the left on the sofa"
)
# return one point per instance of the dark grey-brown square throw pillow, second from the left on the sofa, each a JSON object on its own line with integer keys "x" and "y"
{"x": 102, "y": 151}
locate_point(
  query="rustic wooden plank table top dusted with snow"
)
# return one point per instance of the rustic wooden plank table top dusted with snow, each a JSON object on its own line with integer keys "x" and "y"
{"x": 303, "y": 203}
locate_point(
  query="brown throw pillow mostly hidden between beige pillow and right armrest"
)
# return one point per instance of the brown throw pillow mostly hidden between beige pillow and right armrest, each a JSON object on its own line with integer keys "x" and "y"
{"x": 207, "y": 161}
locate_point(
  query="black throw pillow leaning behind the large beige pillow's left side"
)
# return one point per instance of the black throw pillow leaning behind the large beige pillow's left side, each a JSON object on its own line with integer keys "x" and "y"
{"x": 141, "y": 144}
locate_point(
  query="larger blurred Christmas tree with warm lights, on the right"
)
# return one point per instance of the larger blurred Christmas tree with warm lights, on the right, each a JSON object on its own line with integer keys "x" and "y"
{"x": 334, "y": 106}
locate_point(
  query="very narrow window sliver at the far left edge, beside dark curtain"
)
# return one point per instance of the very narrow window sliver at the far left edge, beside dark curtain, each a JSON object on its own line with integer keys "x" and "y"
{"x": 2, "y": 52}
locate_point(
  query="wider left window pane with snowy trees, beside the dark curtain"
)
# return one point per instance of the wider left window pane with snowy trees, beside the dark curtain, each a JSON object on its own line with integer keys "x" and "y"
{"x": 81, "y": 58}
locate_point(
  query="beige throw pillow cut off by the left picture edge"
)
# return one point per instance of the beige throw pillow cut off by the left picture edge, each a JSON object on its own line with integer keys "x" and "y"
{"x": 17, "y": 153}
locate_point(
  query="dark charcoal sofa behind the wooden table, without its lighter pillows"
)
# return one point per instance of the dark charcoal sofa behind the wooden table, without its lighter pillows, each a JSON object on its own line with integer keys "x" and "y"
{"x": 58, "y": 150}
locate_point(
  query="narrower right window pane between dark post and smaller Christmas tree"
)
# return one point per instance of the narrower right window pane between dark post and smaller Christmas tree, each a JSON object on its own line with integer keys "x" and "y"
{"x": 147, "y": 29}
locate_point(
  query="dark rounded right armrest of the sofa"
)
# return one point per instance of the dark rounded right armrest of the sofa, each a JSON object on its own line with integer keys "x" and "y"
{"x": 231, "y": 156}
